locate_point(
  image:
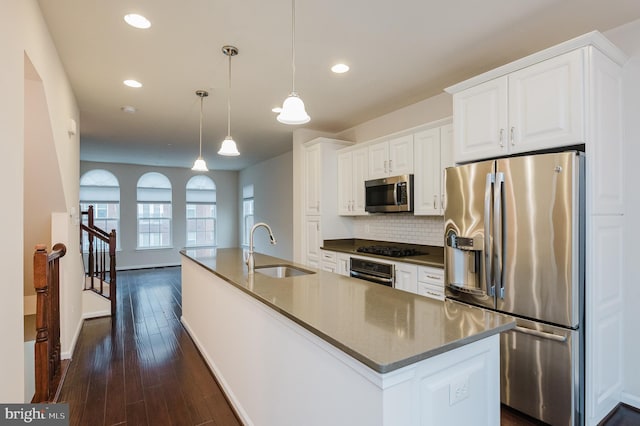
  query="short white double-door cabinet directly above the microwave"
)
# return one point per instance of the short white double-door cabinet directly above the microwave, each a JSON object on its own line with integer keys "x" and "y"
{"x": 391, "y": 158}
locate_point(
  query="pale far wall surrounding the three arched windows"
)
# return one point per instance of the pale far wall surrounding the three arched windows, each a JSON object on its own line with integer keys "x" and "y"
{"x": 226, "y": 203}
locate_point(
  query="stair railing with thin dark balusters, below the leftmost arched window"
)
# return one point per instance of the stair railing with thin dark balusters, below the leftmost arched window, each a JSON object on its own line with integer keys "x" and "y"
{"x": 100, "y": 264}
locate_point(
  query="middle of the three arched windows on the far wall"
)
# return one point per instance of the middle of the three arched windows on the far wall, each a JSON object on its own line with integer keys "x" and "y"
{"x": 154, "y": 211}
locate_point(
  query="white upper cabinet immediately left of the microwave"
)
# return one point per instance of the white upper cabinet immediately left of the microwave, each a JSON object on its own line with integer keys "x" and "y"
{"x": 352, "y": 172}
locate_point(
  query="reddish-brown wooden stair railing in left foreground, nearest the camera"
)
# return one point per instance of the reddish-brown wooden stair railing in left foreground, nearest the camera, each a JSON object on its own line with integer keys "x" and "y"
{"x": 46, "y": 281}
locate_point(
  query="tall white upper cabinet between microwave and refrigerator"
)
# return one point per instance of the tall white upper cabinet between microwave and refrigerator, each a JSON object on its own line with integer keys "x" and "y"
{"x": 433, "y": 153}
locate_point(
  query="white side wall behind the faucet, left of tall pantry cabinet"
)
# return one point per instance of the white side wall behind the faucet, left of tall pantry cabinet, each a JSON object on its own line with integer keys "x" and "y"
{"x": 272, "y": 182}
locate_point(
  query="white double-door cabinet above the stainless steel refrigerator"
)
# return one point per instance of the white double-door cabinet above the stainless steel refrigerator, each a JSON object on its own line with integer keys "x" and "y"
{"x": 537, "y": 107}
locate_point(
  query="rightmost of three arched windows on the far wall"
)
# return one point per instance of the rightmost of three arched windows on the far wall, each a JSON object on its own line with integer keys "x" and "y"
{"x": 201, "y": 211}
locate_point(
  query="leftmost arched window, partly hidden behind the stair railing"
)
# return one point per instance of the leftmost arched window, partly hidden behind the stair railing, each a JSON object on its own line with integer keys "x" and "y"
{"x": 100, "y": 188}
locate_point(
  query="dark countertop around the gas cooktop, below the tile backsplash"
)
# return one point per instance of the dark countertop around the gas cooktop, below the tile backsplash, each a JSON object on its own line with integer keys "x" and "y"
{"x": 430, "y": 255}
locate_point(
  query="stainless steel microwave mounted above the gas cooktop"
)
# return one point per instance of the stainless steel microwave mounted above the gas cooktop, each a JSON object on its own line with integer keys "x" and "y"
{"x": 389, "y": 195}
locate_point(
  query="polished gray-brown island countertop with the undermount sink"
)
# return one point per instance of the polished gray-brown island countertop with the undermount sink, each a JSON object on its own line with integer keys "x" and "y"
{"x": 381, "y": 327}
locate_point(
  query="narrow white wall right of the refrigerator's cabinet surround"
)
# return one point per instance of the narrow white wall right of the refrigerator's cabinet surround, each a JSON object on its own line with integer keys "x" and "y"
{"x": 627, "y": 37}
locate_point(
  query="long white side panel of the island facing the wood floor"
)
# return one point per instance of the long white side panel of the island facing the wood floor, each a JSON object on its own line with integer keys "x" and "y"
{"x": 272, "y": 374}
